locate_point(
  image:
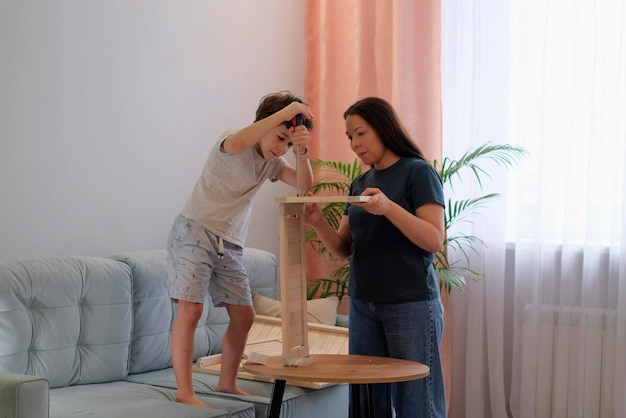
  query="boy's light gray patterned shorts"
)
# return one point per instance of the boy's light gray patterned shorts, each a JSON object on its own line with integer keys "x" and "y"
{"x": 202, "y": 262}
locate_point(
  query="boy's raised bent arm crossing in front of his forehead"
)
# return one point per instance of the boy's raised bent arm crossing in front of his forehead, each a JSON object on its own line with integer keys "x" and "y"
{"x": 247, "y": 137}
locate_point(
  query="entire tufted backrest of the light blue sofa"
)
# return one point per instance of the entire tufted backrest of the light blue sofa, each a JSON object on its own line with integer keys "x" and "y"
{"x": 78, "y": 320}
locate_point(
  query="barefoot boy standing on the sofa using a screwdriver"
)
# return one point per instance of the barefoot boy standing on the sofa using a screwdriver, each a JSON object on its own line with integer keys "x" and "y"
{"x": 206, "y": 241}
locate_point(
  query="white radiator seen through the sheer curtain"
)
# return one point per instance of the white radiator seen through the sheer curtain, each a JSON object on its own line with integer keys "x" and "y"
{"x": 568, "y": 362}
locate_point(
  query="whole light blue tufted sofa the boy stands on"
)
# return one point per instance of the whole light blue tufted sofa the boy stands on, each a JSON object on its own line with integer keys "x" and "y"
{"x": 89, "y": 336}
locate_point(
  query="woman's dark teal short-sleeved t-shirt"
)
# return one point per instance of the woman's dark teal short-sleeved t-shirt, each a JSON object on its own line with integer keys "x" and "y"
{"x": 386, "y": 267}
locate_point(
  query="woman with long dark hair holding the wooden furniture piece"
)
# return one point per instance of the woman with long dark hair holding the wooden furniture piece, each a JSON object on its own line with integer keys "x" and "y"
{"x": 395, "y": 306}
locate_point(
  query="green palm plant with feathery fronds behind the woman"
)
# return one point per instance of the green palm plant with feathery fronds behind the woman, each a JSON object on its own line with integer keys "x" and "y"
{"x": 335, "y": 177}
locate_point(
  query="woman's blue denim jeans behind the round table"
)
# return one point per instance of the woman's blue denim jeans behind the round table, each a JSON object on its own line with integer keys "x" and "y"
{"x": 410, "y": 331}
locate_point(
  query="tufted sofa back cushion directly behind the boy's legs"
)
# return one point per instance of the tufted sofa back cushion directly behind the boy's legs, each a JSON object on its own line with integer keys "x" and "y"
{"x": 154, "y": 312}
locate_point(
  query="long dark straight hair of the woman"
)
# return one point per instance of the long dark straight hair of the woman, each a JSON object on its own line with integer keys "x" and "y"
{"x": 381, "y": 116}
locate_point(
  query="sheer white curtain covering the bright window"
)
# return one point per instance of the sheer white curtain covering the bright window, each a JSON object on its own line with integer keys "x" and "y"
{"x": 549, "y": 75}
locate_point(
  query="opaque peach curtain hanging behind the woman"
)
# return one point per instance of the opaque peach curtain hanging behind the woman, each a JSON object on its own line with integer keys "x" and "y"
{"x": 385, "y": 48}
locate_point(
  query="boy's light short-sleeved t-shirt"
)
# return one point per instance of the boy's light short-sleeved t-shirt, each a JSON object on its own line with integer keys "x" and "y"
{"x": 223, "y": 196}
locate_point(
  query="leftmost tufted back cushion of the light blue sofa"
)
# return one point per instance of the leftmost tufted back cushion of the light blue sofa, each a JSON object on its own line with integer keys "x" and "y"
{"x": 67, "y": 319}
